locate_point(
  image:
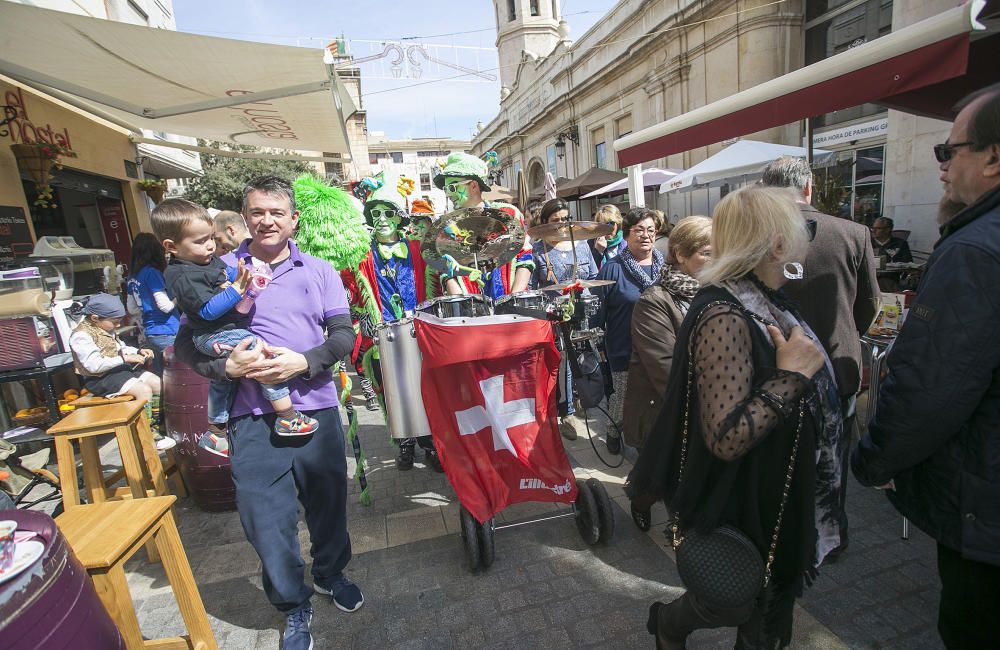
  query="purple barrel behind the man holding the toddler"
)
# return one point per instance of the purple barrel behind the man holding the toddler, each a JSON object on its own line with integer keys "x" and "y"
{"x": 184, "y": 404}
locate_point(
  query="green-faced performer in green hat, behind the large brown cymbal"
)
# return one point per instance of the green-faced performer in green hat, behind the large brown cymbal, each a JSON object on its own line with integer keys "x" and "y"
{"x": 463, "y": 180}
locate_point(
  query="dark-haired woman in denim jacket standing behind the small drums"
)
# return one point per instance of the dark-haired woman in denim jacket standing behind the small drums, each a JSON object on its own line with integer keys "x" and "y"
{"x": 554, "y": 264}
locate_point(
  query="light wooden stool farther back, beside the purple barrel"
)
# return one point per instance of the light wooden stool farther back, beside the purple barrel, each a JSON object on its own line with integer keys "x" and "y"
{"x": 141, "y": 465}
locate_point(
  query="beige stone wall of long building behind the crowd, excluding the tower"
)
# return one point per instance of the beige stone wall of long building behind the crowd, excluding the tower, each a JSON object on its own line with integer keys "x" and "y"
{"x": 636, "y": 62}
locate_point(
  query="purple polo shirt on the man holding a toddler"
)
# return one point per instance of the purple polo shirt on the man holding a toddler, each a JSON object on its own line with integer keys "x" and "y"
{"x": 292, "y": 313}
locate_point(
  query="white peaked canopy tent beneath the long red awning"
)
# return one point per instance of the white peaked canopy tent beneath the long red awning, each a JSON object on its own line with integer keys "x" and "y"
{"x": 741, "y": 161}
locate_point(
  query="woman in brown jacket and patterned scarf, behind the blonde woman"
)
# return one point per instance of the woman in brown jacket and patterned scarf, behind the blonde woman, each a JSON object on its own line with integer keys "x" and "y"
{"x": 655, "y": 322}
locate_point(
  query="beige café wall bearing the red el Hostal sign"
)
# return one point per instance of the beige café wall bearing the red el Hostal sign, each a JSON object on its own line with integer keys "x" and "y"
{"x": 101, "y": 149}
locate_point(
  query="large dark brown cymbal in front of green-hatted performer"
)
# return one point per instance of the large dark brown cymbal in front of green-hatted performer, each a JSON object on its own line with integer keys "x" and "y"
{"x": 484, "y": 236}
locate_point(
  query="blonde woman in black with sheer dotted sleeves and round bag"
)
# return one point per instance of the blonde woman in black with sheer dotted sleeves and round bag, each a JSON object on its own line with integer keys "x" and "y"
{"x": 749, "y": 424}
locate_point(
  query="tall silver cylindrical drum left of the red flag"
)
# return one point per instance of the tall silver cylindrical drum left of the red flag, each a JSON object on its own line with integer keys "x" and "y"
{"x": 399, "y": 358}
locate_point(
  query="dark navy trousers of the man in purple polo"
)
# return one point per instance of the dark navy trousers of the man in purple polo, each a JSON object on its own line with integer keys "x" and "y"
{"x": 273, "y": 474}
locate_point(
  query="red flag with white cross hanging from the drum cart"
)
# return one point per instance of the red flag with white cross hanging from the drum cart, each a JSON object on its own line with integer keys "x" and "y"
{"x": 489, "y": 389}
